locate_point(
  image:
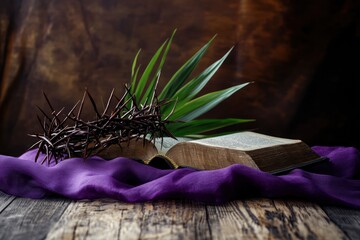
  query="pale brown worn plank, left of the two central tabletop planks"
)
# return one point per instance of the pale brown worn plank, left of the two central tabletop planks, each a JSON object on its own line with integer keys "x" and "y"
{"x": 108, "y": 219}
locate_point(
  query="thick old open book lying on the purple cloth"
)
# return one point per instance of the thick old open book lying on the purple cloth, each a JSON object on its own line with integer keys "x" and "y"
{"x": 264, "y": 152}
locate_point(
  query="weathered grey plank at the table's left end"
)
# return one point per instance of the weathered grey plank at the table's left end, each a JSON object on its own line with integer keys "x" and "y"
{"x": 30, "y": 218}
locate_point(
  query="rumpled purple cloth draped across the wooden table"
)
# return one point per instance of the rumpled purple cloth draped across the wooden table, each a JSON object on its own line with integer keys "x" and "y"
{"x": 333, "y": 183}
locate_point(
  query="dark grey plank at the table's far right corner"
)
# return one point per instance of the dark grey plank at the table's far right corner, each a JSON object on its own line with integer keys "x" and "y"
{"x": 347, "y": 219}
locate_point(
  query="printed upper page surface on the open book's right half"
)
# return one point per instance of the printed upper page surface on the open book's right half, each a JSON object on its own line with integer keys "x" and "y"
{"x": 245, "y": 141}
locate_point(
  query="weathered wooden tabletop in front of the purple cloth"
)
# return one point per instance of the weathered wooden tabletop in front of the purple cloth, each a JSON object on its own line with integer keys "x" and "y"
{"x": 59, "y": 218}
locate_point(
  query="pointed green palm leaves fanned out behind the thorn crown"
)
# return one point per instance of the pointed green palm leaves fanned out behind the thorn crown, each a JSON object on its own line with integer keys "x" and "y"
{"x": 183, "y": 91}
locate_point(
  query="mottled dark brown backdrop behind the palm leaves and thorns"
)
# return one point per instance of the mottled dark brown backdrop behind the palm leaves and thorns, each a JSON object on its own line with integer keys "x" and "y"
{"x": 303, "y": 57}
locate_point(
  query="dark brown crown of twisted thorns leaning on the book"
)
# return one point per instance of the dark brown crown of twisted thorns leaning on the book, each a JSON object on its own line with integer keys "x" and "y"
{"x": 67, "y": 135}
